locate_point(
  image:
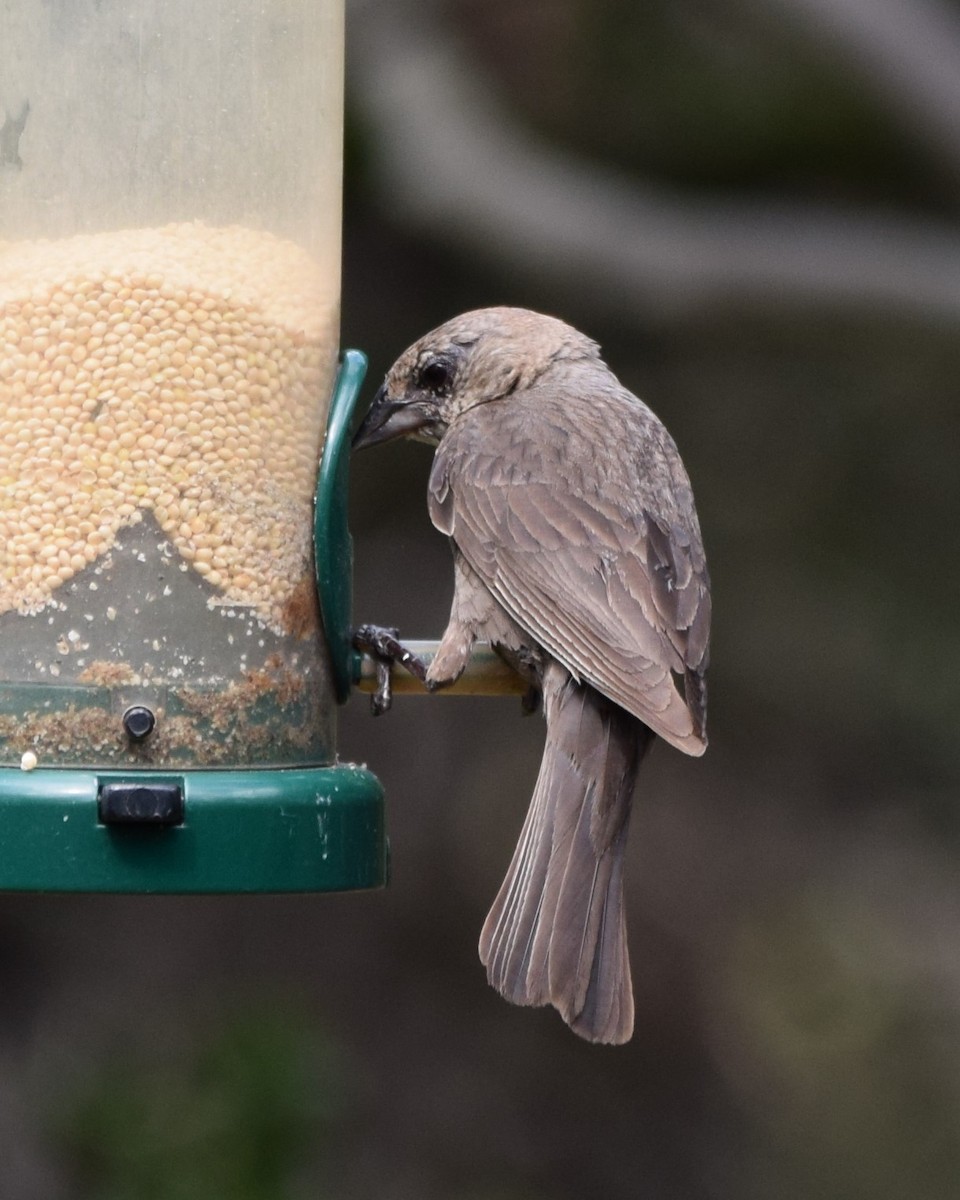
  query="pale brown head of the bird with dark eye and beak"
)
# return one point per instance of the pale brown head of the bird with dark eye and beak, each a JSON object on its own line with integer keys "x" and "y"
{"x": 473, "y": 359}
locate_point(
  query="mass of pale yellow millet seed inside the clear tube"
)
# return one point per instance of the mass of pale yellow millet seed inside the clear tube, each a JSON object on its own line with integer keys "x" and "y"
{"x": 183, "y": 371}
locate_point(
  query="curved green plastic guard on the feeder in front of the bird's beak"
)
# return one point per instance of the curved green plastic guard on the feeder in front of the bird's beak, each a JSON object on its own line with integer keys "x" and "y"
{"x": 332, "y": 537}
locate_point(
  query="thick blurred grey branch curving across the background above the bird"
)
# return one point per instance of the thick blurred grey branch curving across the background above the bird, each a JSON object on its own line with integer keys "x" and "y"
{"x": 452, "y": 164}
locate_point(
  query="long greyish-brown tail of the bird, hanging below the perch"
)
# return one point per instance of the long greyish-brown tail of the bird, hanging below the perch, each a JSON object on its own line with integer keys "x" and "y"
{"x": 556, "y": 934}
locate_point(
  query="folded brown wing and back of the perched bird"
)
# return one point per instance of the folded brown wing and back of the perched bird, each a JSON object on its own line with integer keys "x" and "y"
{"x": 579, "y": 518}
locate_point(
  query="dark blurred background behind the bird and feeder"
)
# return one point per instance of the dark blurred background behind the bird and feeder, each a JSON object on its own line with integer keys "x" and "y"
{"x": 754, "y": 206}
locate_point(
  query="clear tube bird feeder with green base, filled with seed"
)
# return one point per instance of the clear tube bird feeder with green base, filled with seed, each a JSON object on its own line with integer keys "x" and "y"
{"x": 175, "y": 557}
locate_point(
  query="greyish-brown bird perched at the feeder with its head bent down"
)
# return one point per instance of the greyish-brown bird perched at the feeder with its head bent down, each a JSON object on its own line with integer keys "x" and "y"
{"x": 579, "y": 557}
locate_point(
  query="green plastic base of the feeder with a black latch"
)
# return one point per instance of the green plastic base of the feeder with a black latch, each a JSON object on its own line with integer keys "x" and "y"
{"x": 307, "y": 830}
